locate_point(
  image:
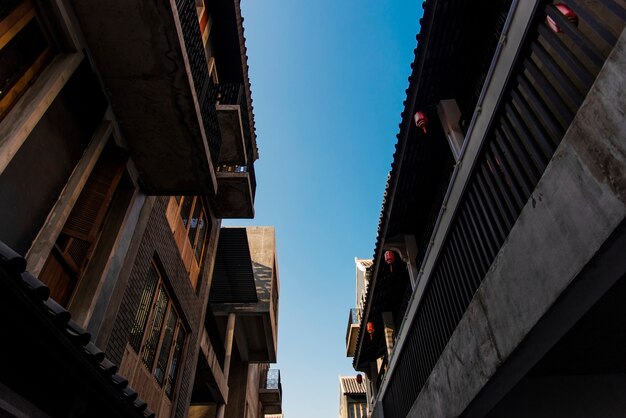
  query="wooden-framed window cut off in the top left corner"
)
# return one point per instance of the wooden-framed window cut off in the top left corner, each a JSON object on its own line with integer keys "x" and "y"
{"x": 24, "y": 50}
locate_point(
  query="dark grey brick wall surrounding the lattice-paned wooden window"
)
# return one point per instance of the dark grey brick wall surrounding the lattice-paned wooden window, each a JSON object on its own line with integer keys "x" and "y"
{"x": 158, "y": 243}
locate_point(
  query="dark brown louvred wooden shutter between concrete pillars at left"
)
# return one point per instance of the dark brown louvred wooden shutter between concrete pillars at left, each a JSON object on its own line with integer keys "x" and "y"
{"x": 75, "y": 245}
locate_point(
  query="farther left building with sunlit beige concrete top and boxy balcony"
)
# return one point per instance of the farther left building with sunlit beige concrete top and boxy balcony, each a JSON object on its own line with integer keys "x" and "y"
{"x": 240, "y": 335}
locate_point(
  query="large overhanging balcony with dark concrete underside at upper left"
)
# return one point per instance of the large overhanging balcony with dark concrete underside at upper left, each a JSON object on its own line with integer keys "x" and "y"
{"x": 152, "y": 62}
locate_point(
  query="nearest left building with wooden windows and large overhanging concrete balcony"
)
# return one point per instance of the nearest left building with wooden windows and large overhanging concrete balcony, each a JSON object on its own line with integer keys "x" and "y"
{"x": 106, "y": 110}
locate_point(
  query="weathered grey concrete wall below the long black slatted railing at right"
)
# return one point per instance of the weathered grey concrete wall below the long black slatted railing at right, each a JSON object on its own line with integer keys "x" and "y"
{"x": 577, "y": 204}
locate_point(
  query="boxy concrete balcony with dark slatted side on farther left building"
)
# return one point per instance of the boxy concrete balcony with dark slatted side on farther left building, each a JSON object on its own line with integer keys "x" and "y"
{"x": 245, "y": 282}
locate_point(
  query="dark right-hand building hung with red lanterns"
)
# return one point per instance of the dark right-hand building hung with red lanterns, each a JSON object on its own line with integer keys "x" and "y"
{"x": 498, "y": 266}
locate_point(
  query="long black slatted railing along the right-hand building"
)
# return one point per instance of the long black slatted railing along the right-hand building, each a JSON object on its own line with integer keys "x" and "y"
{"x": 550, "y": 80}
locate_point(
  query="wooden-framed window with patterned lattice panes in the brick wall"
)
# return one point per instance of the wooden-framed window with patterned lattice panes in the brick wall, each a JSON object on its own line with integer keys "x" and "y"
{"x": 158, "y": 335}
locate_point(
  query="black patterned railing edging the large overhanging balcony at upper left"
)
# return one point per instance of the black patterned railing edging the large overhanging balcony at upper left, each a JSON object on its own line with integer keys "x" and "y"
{"x": 200, "y": 74}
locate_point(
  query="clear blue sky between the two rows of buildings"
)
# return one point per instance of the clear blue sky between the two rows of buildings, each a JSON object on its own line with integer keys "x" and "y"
{"x": 328, "y": 80}
